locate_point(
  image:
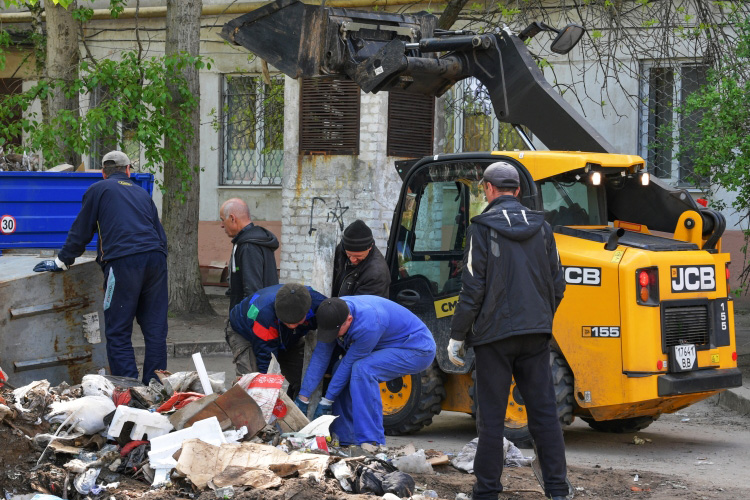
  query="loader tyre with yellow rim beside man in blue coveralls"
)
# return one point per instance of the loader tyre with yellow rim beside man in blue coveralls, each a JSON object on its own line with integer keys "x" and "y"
{"x": 410, "y": 402}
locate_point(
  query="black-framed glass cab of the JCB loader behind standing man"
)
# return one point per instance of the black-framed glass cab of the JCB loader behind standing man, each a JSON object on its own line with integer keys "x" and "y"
{"x": 425, "y": 253}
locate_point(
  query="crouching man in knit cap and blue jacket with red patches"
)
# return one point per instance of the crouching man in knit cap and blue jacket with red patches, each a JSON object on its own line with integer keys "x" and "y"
{"x": 275, "y": 320}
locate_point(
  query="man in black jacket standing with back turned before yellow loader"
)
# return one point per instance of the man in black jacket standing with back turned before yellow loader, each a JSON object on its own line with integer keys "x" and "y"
{"x": 512, "y": 283}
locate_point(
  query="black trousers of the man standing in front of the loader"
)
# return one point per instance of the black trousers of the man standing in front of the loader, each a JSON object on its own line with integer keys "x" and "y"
{"x": 525, "y": 357}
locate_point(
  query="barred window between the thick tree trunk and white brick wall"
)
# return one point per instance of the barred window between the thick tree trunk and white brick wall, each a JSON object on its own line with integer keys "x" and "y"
{"x": 253, "y": 130}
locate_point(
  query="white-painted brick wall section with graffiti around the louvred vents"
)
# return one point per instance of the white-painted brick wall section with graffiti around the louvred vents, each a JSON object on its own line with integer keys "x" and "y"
{"x": 352, "y": 187}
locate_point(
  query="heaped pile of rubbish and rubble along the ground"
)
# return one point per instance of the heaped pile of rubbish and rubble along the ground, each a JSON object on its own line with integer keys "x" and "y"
{"x": 115, "y": 437}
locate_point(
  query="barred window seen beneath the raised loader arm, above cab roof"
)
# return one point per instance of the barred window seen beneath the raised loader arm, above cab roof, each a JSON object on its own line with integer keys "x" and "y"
{"x": 468, "y": 121}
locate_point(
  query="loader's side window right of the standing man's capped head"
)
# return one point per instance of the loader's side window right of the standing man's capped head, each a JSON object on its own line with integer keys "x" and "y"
{"x": 572, "y": 203}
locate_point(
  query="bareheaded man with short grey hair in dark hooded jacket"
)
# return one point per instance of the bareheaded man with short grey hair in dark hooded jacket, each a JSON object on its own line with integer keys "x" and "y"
{"x": 252, "y": 266}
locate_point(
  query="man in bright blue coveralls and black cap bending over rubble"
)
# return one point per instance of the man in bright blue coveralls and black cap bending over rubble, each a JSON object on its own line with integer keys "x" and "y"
{"x": 382, "y": 341}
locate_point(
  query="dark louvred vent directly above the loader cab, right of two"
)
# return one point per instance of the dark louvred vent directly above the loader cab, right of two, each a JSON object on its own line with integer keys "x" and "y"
{"x": 411, "y": 124}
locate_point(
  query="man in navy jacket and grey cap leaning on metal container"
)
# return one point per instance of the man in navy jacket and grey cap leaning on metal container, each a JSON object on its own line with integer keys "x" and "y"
{"x": 133, "y": 254}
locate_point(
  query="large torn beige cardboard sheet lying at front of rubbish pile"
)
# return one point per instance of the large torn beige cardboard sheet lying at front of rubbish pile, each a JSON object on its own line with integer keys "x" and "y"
{"x": 202, "y": 462}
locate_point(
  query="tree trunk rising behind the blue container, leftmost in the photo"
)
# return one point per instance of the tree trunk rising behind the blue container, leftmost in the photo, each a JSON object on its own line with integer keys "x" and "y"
{"x": 62, "y": 66}
